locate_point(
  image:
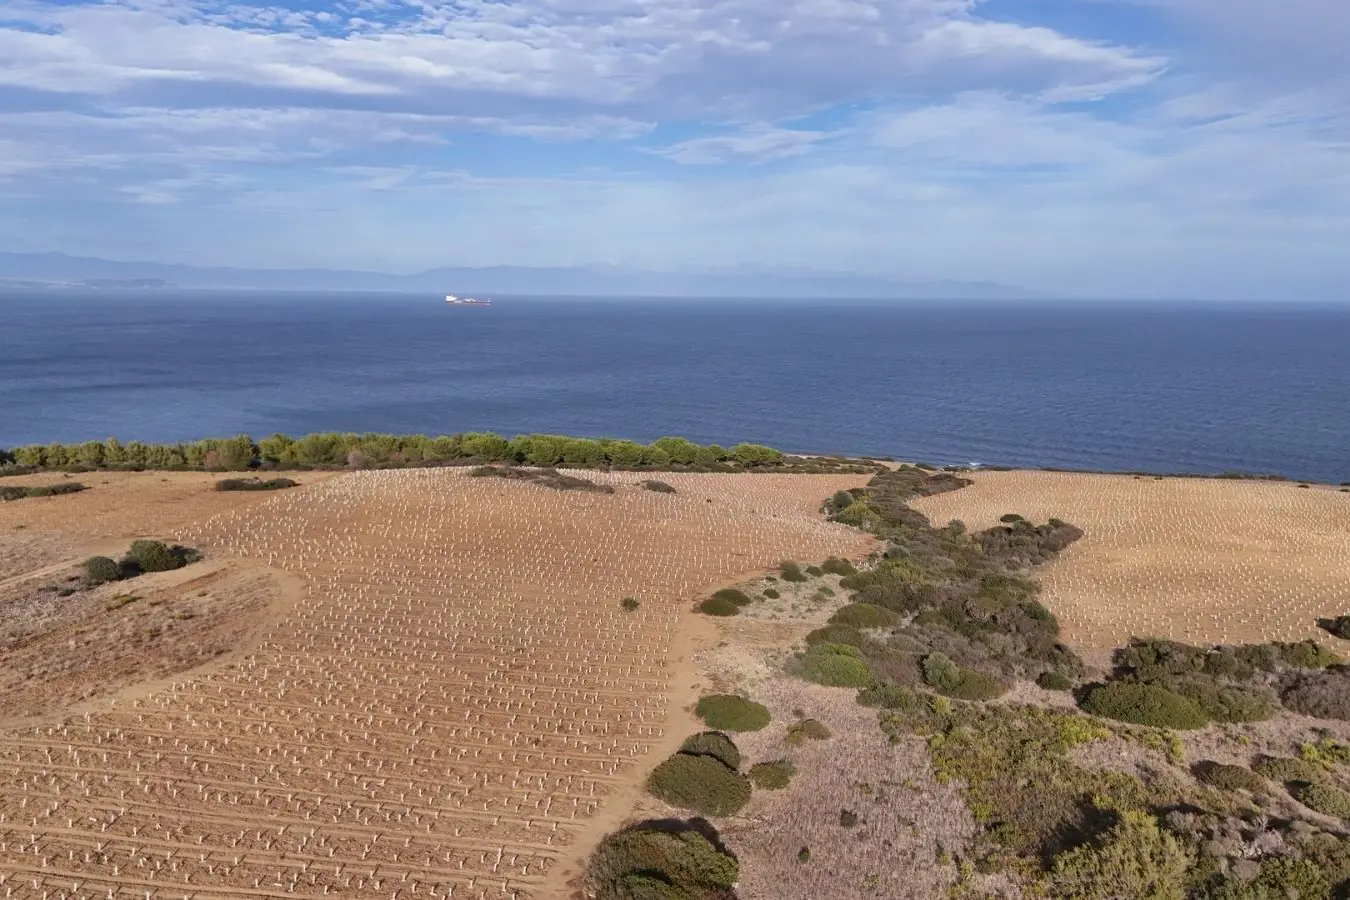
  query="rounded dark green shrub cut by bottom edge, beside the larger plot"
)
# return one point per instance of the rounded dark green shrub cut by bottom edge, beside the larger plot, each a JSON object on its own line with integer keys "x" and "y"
{"x": 646, "y": 860}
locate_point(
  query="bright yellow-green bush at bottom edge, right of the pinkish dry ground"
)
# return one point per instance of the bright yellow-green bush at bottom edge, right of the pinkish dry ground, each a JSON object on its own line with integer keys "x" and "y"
{"x": 1136, "y": 860}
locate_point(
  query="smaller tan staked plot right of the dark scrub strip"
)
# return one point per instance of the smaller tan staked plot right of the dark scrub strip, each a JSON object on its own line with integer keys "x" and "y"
{"x": 1187, "y": 559}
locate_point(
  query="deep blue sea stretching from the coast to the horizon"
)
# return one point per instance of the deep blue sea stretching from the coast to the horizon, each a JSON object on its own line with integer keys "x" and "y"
{"x": 1105, "y": 387}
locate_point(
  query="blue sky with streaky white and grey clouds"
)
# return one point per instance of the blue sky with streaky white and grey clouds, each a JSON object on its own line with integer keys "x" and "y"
{"x": 1191, "y": 149}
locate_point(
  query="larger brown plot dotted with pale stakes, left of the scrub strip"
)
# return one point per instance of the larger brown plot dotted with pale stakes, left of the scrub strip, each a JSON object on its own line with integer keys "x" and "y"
{"x": 457, "y": 693}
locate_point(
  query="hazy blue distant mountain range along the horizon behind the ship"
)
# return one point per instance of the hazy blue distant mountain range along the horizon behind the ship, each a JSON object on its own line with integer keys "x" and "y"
{"x": 61, "y": 271}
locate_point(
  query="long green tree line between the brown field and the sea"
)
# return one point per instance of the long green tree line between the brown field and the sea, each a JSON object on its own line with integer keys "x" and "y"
{"x": 334, "y": 450}
